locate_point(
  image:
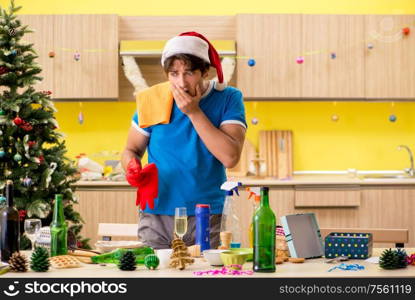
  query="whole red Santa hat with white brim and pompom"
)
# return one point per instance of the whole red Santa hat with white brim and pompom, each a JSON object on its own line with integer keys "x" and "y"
{"x": 196, "y": 44}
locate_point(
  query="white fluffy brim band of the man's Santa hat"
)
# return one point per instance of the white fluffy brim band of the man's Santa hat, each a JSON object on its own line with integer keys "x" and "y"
{"x": 186, "y": 45}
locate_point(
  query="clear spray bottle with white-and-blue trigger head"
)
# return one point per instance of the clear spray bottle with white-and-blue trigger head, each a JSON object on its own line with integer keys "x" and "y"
{"x": 230, "y": 222}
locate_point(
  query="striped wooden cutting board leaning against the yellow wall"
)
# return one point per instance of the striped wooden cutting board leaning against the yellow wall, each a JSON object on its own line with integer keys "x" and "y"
{"x": 275, "y": 147}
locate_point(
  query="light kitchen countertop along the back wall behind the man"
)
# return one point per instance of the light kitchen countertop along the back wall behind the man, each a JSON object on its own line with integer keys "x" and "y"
{"x": 295, "y": 180}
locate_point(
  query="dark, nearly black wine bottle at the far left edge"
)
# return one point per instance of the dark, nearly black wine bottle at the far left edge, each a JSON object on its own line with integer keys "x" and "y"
{"x": 10, "y": 225}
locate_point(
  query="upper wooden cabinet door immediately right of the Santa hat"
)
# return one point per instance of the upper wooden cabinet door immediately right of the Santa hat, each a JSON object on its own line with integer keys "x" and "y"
{"x": 274, "y": 41}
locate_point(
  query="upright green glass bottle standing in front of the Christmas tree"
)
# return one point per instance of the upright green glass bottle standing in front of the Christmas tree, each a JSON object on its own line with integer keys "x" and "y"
{"x": 58, "y": 229}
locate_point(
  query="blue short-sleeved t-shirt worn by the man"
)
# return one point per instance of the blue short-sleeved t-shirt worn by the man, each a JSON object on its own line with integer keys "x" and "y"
{"x": 188, "y": 173}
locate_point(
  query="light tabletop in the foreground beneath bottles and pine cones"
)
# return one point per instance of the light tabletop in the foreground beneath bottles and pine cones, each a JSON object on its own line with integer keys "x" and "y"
{"x": 311, "y": 268}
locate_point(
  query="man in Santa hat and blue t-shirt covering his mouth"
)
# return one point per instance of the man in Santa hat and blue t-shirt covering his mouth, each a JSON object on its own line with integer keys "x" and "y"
{"x": 203, "y": 136}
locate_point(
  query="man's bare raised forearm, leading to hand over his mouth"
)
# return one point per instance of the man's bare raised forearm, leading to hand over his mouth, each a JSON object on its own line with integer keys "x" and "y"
{"x": 225, "y": 148}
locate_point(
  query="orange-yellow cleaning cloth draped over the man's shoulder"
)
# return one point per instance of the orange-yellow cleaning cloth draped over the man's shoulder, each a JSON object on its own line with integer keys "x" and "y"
{"x": 154, "y": 105}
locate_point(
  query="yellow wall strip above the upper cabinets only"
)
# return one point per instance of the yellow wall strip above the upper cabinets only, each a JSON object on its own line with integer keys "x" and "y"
{"x": 214, "y": 7}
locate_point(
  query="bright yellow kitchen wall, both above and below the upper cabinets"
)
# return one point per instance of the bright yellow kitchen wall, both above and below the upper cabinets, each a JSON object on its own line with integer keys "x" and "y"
{"x": 363, "y": 138}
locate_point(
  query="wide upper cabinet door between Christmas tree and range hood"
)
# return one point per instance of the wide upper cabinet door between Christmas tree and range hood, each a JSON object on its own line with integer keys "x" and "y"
{"x": 95, "y": 74}
